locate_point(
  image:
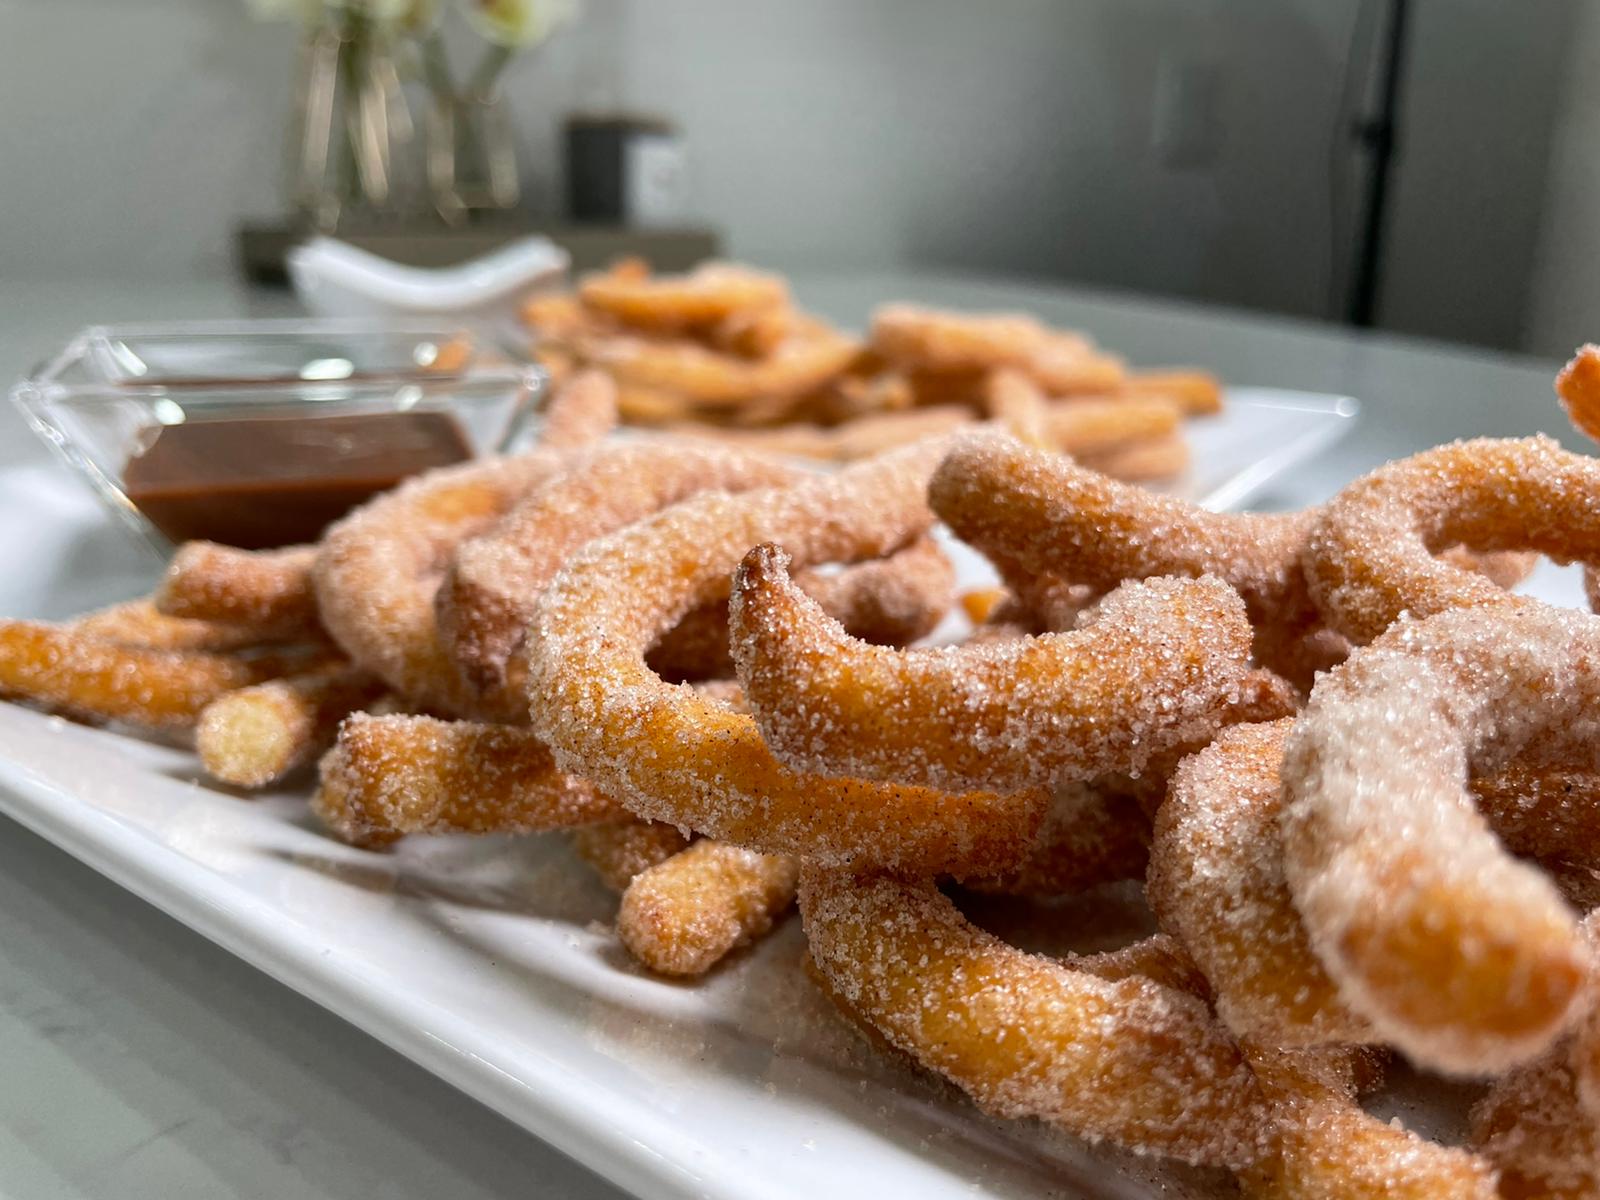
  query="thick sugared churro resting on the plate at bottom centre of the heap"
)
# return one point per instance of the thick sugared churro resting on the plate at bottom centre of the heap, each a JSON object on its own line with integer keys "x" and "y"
{"x": 1130, "y": 1062}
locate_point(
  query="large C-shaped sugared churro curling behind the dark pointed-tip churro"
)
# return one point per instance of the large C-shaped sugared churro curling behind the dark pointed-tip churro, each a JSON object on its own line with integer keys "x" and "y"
{"x": 681, "y": 759}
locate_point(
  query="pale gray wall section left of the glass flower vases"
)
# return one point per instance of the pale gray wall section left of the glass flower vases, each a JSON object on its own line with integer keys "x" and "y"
{"x": 132, "y": 132}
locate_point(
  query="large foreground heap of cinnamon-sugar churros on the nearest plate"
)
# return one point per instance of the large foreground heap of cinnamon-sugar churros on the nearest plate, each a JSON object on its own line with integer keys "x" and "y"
{"x": 1356, "y": 772}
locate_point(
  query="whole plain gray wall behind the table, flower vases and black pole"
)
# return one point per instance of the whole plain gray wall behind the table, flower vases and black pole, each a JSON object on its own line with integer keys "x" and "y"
{"x": 1014, "y": 135}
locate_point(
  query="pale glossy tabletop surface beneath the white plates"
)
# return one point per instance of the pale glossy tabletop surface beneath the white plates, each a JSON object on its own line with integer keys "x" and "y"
{"x": 143, "y": 1062}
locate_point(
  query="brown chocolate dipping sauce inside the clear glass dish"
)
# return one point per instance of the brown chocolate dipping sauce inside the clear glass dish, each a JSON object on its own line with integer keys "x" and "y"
{"x": 258, "y": 482}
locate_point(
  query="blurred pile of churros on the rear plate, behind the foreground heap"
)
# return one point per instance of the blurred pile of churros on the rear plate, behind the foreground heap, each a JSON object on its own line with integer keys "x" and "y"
{"x": 722, "y": 353}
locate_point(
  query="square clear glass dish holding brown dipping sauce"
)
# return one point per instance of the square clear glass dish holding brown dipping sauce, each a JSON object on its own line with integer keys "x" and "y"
{"x": 262, "y": 433}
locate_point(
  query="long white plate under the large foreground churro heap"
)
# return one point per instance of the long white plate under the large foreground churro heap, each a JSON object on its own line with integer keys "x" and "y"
{"x": 490, "y": 962}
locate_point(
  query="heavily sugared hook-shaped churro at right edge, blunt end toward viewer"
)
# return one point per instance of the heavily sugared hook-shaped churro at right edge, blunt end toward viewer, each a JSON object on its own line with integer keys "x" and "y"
{"x": 1455, "y": 953}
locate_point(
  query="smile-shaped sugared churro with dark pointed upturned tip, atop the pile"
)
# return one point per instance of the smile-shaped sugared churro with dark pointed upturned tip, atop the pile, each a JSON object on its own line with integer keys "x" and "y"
{"x": 1153, "y": 670}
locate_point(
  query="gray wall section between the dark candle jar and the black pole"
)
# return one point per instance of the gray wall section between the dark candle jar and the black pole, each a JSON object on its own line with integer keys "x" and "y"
{"x": 1012, "y": 137}
